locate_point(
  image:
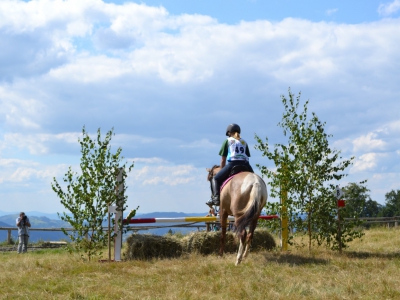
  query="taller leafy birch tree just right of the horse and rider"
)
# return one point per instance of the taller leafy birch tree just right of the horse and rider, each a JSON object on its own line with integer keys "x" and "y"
{"x": 306, "y": 168}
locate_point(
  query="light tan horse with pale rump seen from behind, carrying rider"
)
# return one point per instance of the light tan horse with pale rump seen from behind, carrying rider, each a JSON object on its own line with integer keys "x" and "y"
{"x": 243, "y": 197}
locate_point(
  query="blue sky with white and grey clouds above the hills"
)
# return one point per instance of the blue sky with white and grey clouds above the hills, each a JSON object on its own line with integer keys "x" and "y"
{"x": 170, "y": 76}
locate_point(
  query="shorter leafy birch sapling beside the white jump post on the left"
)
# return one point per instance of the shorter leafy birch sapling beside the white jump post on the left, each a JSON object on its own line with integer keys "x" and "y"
{"x": 88, "y": 194}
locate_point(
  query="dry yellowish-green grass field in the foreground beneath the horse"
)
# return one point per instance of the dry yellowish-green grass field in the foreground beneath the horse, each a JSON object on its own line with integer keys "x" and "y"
{"x": 369, "y": 269}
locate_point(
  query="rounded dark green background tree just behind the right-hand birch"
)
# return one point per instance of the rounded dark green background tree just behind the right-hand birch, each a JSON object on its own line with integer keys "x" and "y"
{"x": 359, "y": 203}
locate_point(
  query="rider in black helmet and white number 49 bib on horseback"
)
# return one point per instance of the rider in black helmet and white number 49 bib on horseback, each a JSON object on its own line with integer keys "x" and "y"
{"x": 234, "y": 151}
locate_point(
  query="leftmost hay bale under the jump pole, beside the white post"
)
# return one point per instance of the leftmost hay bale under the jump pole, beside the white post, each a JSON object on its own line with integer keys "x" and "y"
{"x": 146, "y": 246}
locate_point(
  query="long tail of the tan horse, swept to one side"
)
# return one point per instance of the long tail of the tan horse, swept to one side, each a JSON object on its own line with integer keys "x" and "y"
{"x": 252, "y": 209}
